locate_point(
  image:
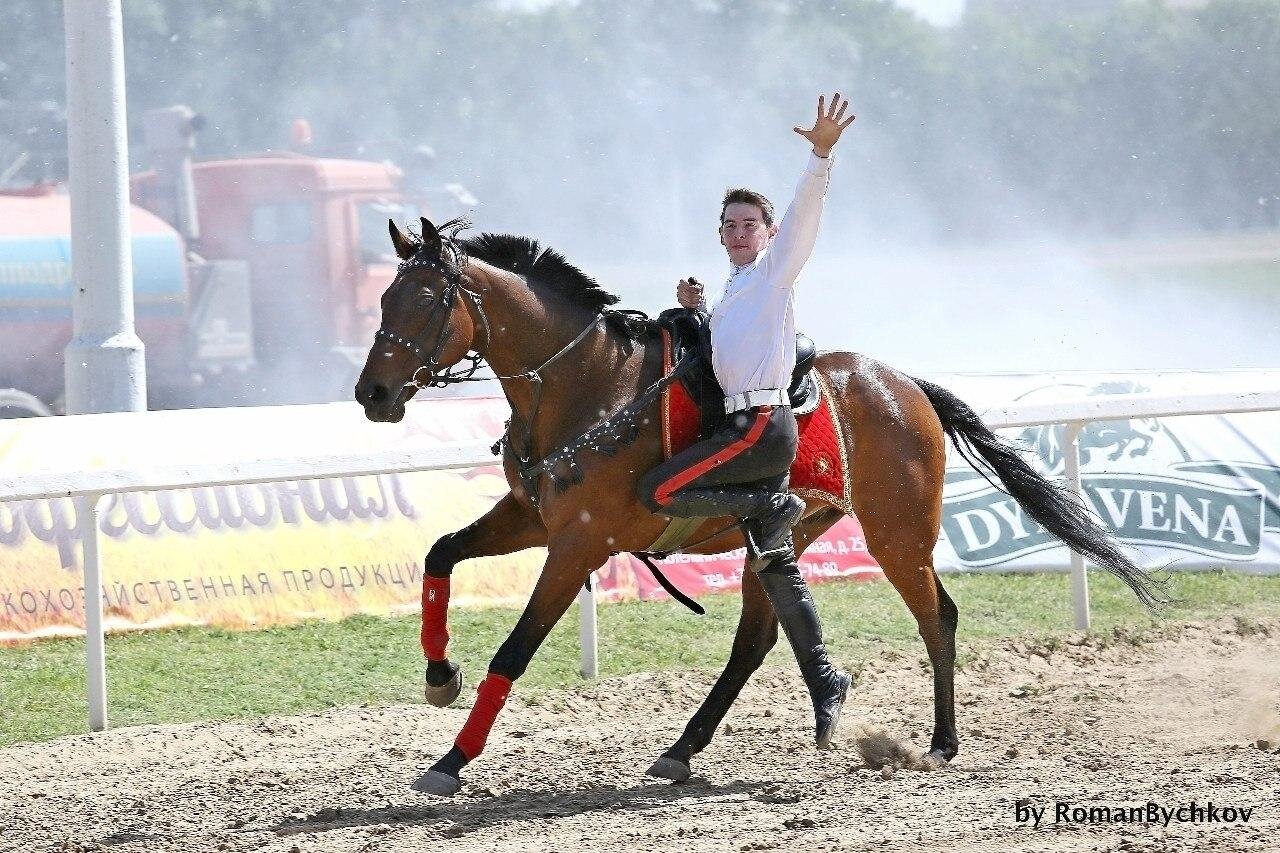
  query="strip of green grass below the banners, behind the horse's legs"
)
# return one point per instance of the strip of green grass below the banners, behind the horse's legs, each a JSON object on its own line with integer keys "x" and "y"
{"x": 208, "y": 674}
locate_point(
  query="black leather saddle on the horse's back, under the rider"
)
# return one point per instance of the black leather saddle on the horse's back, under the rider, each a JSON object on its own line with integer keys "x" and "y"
{"x": 692, "y": 334}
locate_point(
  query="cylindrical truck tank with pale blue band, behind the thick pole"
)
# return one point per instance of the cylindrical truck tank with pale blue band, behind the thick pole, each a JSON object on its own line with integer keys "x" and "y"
{"x": 36, "y": 290}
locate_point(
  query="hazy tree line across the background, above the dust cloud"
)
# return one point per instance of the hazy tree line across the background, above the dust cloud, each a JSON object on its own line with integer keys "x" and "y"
{"x": 1100, "y": 118}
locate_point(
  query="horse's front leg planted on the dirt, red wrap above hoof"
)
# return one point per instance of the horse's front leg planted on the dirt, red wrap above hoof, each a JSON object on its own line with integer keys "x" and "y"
{"x": 566, "y": 571}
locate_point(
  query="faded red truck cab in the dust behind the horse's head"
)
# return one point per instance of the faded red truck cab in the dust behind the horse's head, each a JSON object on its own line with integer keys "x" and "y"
{"x": 313, "y": 232}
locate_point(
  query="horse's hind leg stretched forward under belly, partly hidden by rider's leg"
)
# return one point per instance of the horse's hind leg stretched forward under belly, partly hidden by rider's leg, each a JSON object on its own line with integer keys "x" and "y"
{"x": 757, "y": 633}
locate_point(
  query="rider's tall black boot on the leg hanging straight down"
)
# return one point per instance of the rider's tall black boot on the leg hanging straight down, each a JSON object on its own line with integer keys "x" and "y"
{"x": 796, "y": 609}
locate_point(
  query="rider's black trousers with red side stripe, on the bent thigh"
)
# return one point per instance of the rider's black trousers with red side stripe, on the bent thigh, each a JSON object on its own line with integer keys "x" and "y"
{"x": 755, "y": 449}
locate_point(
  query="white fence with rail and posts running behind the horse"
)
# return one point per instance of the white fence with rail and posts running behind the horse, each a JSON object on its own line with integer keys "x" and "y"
{"x": 89, "y": 487}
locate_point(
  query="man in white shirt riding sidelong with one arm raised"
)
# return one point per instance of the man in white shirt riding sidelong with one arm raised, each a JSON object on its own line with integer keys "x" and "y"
{"x": 743, "y": 469}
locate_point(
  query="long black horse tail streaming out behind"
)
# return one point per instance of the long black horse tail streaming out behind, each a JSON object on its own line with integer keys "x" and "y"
{"x": 1052, "y": 507}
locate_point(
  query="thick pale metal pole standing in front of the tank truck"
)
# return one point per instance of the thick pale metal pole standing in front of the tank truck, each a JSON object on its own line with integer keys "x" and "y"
{"x": 106, "y": 370}
